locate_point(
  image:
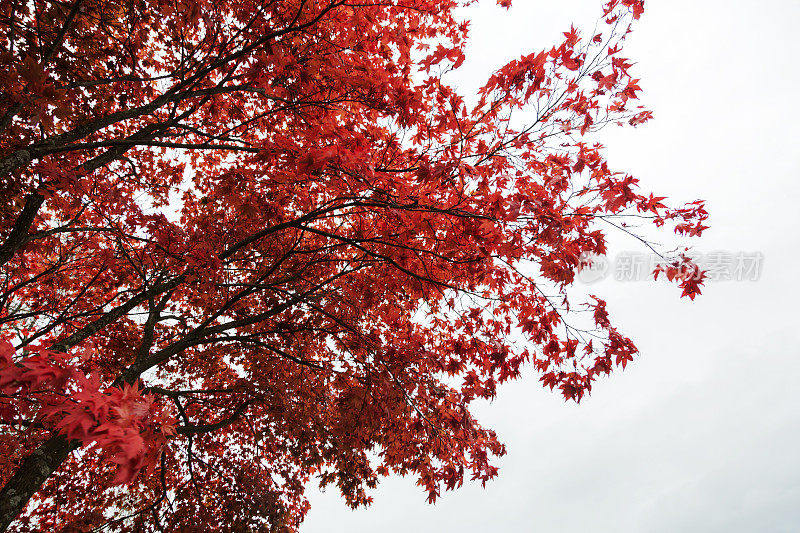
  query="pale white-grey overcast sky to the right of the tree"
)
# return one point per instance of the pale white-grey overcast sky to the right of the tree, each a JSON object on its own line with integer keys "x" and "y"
{"x": 702, "y": 431}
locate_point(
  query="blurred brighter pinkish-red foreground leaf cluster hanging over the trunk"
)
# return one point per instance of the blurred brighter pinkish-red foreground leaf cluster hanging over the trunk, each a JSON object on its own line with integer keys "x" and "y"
{"x": 46, "y": 390}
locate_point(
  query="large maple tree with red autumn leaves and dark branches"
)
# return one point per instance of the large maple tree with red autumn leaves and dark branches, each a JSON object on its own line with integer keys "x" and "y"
{"x": 247, "y": 244}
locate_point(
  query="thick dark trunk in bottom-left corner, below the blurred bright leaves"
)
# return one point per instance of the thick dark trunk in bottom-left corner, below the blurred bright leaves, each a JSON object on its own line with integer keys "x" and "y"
{"x": 30, "y": 476}
